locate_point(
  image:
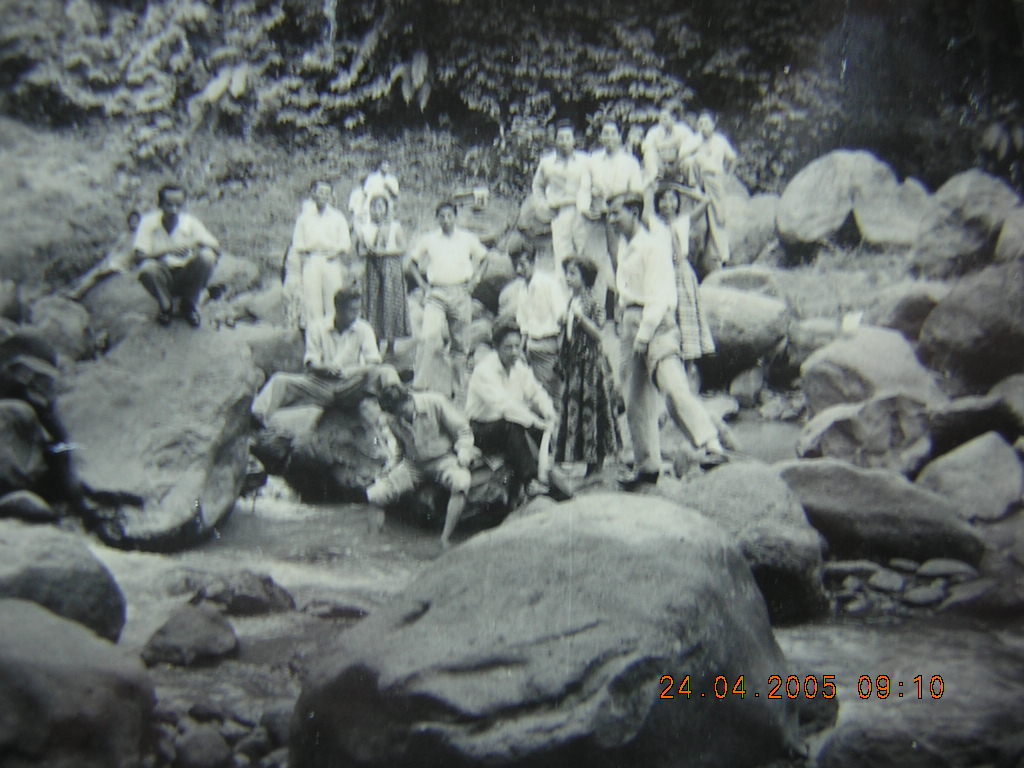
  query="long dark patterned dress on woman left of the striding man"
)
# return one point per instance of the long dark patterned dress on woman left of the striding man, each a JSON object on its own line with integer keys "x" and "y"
{"x": 588, "y": 432}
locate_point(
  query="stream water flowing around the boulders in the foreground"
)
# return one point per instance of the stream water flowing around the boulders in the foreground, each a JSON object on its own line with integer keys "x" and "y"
{"x": 340, "y": 562}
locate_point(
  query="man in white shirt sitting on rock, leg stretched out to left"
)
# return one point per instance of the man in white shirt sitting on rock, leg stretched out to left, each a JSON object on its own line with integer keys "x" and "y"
{"x": 343, "y": 360}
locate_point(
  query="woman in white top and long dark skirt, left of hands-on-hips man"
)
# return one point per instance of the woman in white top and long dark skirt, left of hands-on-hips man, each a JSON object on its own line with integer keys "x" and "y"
{"x": 382, "y": 242}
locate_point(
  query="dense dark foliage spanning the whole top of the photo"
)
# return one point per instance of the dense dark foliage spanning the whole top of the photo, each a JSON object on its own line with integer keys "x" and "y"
{"x": 914, "y": 80}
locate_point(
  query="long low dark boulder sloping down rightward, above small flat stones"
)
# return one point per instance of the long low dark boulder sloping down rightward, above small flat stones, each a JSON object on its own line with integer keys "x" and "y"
{"x": 878, "y": 515}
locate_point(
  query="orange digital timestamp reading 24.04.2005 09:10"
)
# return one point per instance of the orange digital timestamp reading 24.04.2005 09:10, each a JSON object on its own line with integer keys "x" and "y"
{"x": 809, "y": 687}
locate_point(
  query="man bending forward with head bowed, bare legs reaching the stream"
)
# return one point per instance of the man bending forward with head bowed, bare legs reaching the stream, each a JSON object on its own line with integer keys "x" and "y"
{"x": 437, "y": 445}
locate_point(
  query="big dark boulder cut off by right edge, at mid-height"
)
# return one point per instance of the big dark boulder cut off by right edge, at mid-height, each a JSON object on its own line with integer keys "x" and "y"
{"x": 976, "y": 334}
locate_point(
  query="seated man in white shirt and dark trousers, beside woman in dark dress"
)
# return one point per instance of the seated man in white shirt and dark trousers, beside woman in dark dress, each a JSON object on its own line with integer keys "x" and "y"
{"x": 508, "y": 409}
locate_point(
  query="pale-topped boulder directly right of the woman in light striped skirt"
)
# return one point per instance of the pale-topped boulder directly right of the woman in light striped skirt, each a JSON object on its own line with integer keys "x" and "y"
{"x": 747, "y": 326}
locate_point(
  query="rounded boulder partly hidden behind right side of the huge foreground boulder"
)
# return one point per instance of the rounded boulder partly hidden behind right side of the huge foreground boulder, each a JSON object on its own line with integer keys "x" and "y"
{"x": 764, "y": 519}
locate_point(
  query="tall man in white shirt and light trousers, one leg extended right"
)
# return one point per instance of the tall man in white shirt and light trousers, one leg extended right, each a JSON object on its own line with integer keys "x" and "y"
{"x": 652, "y": 345}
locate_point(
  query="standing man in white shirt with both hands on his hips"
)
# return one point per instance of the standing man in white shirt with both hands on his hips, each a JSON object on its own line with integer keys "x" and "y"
{"x": 447, "y": 265}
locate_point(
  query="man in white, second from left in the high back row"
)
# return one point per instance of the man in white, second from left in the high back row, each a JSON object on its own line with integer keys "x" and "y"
{"x": 614, "y": 172}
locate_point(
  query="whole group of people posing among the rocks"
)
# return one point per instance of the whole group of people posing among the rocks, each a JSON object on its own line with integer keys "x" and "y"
{"x": 543, "y": 395}
